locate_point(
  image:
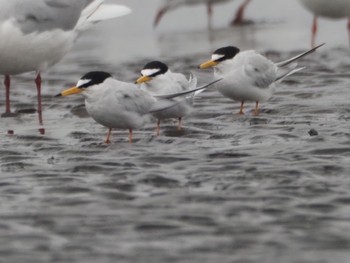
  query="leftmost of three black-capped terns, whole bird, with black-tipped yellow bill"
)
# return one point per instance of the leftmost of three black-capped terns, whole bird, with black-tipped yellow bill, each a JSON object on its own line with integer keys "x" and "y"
{"x": 116, "y": 104}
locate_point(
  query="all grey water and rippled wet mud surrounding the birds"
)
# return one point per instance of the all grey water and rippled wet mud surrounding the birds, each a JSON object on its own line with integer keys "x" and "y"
{"x": 227, "y": 188}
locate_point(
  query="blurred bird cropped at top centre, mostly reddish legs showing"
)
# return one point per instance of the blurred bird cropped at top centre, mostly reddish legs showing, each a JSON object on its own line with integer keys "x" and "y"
{"x": 168, "y": 5}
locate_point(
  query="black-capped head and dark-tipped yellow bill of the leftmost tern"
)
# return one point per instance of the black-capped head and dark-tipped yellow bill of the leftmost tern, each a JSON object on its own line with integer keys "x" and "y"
{"x": 85, "y": 82}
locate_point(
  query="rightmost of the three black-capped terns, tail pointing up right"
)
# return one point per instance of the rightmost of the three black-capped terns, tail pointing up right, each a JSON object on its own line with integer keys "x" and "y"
{"x": 247, "y": 75}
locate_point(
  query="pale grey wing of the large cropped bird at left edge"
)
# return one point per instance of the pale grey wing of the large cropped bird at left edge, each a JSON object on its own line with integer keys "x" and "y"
{"x": 42, "y": 15}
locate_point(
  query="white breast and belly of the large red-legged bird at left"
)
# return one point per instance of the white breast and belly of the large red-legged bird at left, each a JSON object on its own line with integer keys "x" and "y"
{"x": 21, "y": 53}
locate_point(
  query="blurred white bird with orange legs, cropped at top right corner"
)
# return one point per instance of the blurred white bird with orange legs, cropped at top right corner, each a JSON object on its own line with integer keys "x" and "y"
{"x": 334, "y": 9}
